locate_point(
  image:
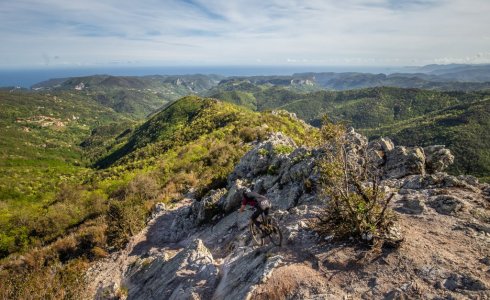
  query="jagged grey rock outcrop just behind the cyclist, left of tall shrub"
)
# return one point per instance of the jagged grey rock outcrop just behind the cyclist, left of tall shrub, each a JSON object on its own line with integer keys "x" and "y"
{"x": 277, "y": 168}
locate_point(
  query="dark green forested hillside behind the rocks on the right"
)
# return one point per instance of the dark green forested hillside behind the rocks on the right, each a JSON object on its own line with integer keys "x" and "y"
{"x": 410, "y": 116}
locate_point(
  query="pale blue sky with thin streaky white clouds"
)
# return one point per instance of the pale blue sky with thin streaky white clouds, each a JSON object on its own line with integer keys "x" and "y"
{"x": 60, "y": 33}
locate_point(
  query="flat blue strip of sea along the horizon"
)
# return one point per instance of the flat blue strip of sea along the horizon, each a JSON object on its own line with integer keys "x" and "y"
{"x": 25, "y": 78}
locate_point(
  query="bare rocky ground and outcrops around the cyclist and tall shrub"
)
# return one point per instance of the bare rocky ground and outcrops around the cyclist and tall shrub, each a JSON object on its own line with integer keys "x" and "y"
{"x": 201, "y": 248}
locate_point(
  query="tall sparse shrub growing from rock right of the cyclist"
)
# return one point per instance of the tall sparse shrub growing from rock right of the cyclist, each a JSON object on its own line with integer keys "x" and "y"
{"x": 356, "y": 206}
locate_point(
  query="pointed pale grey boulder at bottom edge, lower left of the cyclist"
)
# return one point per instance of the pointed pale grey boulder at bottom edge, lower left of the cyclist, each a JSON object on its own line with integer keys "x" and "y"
{"x": 191, "y": 274}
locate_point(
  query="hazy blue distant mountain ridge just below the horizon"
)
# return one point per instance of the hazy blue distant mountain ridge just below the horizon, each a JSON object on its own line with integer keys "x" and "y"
{"x": 438, "y": 77}
